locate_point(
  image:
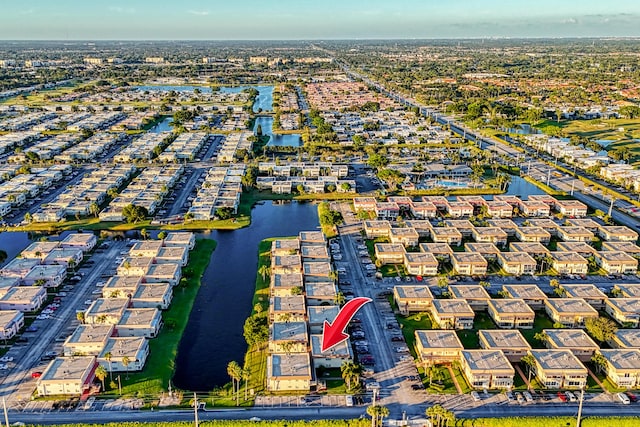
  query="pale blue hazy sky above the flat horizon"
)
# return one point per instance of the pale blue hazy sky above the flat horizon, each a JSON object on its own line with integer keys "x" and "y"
{"x": 315, "y": 19}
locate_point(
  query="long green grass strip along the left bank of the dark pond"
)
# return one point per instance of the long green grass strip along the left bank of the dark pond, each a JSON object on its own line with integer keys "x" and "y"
{"x": 160, "y": 365}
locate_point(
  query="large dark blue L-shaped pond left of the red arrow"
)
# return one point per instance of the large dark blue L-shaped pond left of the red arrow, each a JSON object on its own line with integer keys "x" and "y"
{"x": 213, "y": 336}
